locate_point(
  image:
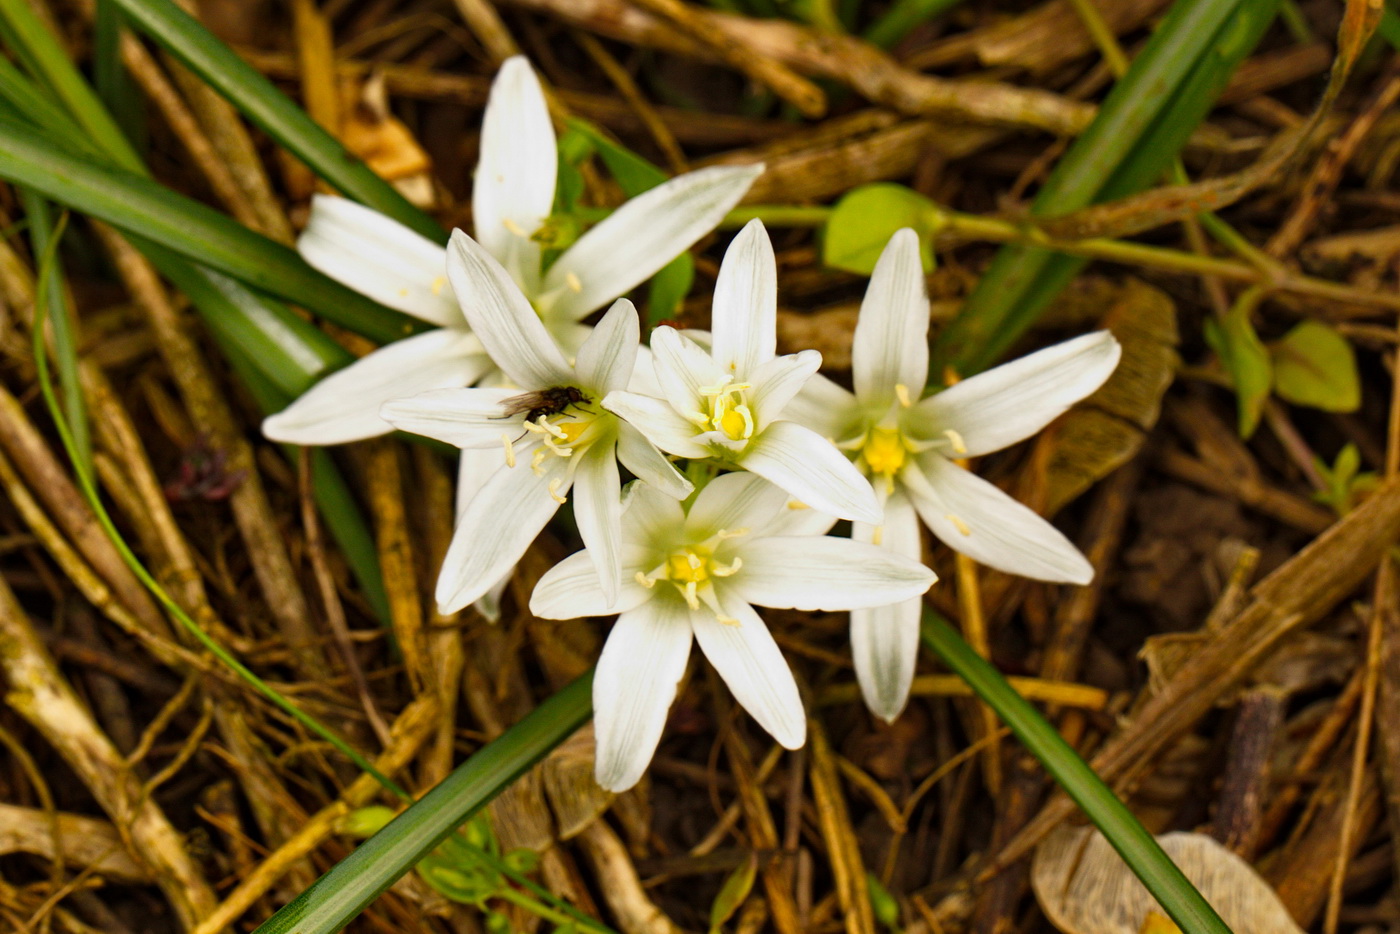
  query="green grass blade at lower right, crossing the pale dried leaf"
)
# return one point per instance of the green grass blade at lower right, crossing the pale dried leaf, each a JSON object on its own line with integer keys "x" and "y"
{"x": 1137, "y": 848}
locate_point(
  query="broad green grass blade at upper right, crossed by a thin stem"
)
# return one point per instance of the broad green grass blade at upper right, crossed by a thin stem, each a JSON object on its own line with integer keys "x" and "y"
{"x": 1139, "y": 131}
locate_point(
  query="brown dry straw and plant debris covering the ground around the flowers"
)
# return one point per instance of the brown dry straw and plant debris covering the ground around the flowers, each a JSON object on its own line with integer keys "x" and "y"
{"x": 146, "y": 789}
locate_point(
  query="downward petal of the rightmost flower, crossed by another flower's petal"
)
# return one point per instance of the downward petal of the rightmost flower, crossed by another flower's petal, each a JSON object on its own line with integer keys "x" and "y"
{"x": 885, "y": 639}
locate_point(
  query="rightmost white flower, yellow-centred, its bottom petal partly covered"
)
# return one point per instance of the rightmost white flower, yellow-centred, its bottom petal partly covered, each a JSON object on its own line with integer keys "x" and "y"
{"x": 906, "y": 446}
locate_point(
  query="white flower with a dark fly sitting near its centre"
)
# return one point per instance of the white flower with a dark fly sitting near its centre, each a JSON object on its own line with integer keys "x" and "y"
{"x": 549, "y": 432}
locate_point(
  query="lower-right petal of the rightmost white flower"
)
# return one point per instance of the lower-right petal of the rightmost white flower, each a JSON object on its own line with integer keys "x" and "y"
{"x": 1000, "y": 533}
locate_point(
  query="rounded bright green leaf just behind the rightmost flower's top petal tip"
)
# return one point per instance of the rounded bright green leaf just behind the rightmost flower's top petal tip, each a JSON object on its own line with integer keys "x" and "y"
{"x": 863, "y": 222}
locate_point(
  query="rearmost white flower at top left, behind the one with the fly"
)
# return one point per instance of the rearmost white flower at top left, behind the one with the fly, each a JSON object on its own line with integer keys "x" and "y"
{"x": 513, "y": 197}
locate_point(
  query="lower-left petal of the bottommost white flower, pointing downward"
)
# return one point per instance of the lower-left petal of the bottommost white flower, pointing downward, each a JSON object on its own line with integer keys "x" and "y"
{"x": 640, "y": 667}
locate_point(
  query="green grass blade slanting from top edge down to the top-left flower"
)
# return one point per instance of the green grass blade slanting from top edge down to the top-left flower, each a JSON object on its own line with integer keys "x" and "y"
{"x": 204, "y": 54}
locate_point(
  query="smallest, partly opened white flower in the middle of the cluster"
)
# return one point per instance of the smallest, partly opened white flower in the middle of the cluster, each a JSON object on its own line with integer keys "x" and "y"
{"x": 726, "y": 403}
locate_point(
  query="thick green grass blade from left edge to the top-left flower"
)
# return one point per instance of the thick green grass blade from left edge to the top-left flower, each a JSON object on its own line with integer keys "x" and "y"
{"x": 148, "y": 209}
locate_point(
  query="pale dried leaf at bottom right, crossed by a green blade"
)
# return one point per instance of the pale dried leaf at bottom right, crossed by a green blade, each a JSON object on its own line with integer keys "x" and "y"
{"x": 1084, "y": 886}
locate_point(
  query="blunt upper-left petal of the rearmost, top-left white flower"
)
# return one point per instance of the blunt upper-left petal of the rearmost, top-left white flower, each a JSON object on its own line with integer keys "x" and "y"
{"x": 380, "y": 258}
